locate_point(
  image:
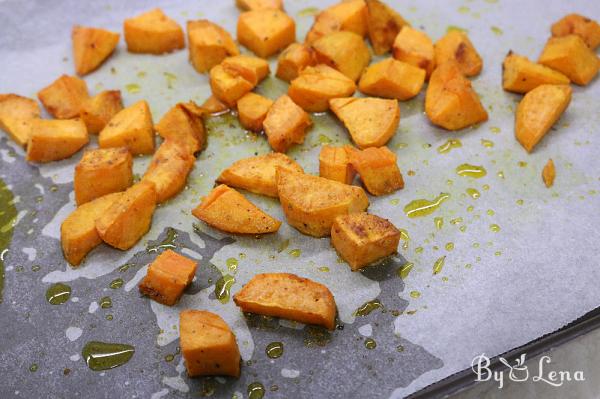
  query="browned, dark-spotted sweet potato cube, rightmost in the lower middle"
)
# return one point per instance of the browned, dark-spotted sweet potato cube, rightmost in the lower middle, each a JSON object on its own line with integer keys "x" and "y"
{"x": 361, "y": 238}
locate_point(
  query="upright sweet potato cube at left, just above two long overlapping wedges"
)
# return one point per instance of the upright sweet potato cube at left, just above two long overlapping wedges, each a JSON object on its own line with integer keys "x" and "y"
{"x": 102, "y": 171}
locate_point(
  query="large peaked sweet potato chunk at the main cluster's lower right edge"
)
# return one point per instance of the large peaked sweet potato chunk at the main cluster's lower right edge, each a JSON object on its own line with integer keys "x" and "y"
{"x": 450, "y": 101}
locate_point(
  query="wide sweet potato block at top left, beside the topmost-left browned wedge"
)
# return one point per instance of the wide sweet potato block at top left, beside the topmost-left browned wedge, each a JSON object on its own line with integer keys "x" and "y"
{"x": 153, "y": 32}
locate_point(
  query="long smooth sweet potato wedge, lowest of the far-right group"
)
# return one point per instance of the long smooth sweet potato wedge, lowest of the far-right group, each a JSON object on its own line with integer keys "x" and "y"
{"x": 538, "y": 111}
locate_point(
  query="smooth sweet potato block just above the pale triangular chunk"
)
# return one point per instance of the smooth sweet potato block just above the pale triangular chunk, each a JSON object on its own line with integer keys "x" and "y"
{"x": 392, "y": 79}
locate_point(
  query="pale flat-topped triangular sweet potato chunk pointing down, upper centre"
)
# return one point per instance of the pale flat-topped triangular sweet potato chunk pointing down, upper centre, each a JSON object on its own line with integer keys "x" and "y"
{"x": 371, "y": 122}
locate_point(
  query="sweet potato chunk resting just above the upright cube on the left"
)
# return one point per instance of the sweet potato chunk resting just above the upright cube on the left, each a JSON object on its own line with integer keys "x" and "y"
{"x": 131, "y": 128}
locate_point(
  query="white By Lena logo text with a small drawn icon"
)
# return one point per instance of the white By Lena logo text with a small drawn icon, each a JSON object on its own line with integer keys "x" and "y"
{"x": 519, "y": 371}
